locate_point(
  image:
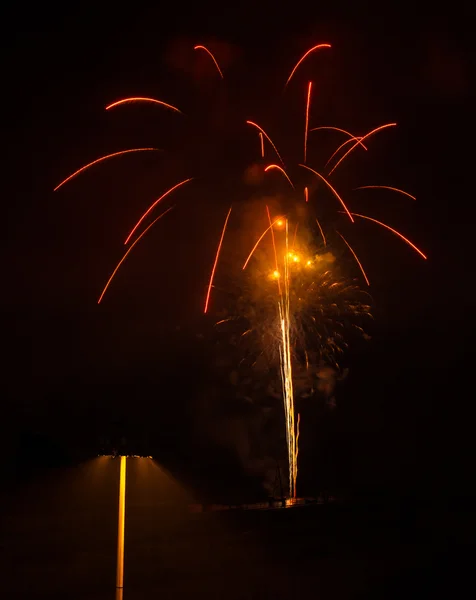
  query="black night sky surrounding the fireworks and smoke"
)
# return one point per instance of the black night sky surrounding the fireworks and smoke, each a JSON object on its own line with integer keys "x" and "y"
{"x": 72, "y": 368}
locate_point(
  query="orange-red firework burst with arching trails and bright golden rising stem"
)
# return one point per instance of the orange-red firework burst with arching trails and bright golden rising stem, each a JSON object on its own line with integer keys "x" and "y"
{"x": 291, "y": 301}
